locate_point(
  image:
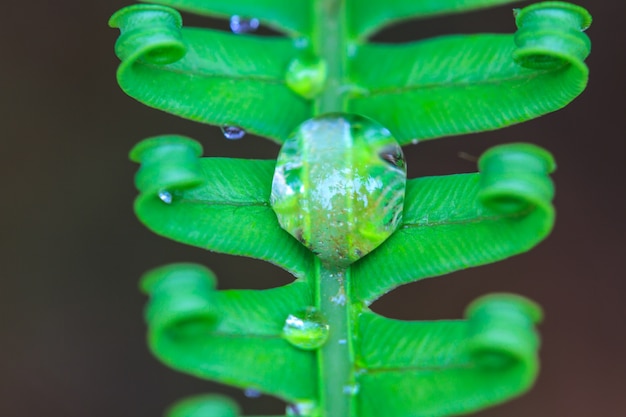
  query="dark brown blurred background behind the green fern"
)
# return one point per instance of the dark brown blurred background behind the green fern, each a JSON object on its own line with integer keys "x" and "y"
{"x": 72, "y": 336}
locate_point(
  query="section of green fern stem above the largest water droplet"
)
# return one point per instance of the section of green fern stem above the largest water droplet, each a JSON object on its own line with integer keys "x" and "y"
{"x": 330, "y": 44}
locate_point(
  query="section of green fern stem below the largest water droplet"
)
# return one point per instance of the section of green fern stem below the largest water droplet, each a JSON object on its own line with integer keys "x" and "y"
{"x": 337, "y": 389}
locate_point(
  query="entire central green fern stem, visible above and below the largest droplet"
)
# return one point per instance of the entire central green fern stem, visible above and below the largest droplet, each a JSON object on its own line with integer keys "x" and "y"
{"x": 337, "y": 387}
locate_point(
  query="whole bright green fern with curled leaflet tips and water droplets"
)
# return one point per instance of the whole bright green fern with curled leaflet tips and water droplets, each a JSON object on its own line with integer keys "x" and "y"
{"x": 336, "y": 101}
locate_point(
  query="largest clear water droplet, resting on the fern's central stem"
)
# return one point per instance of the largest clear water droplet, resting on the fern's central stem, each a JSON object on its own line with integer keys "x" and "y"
{"x": 339, "y": 186}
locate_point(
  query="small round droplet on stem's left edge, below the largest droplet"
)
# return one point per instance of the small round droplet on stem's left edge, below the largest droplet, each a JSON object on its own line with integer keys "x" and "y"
{"x": 306, "y": 329}
